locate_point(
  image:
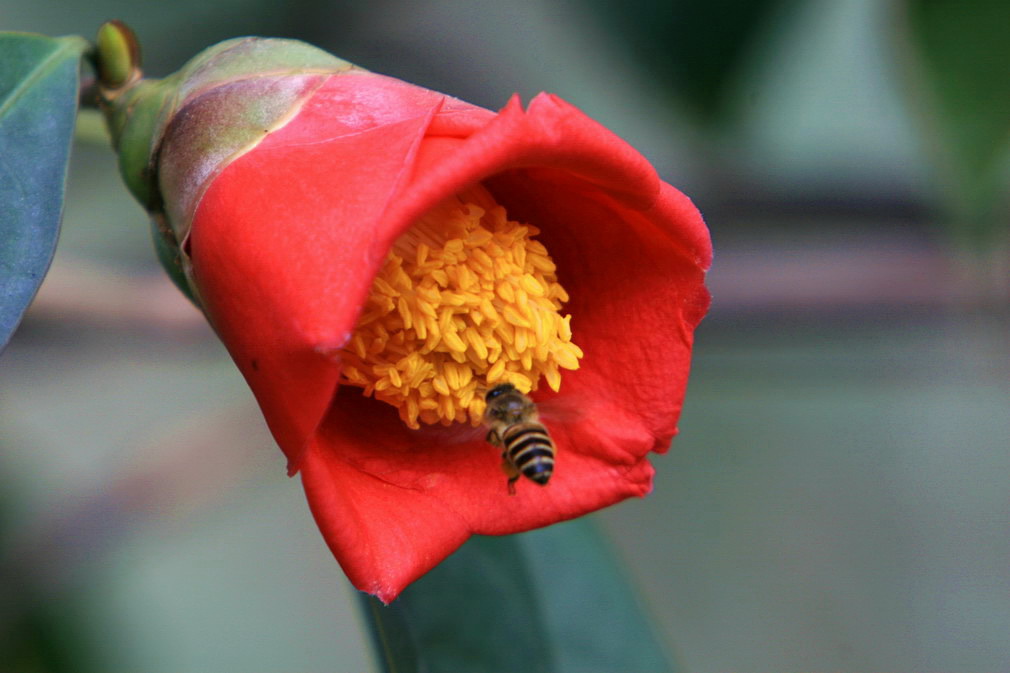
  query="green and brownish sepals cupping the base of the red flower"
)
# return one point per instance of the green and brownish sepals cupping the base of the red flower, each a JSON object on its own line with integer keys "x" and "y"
{"x": 174, "y": 136}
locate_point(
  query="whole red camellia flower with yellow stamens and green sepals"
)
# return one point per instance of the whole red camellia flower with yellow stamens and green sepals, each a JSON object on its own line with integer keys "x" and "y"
{"x": 376, "y": 257}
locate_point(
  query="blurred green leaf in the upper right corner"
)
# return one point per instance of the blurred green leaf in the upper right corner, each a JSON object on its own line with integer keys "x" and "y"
{"x": 962, "y": 56}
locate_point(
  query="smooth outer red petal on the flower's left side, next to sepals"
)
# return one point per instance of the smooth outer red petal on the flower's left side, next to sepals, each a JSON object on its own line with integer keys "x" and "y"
{"x": 283, "y": 242}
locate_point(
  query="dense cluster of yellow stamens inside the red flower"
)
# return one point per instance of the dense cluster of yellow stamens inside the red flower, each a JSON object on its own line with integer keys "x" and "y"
{"x": 465, "y": 300}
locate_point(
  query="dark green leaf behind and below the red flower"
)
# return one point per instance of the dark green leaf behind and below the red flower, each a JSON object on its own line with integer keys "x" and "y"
{"x": 553, "y": 600}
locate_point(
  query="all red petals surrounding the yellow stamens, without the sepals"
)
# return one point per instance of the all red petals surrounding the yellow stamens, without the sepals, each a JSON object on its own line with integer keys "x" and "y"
{"x": 288, "y": 240}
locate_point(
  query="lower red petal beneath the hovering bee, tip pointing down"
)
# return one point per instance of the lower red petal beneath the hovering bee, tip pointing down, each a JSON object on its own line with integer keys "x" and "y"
{"x": 393, "y": 503}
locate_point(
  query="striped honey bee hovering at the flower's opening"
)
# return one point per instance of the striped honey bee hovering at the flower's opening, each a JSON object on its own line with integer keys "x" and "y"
{"x": 516, "y": 428}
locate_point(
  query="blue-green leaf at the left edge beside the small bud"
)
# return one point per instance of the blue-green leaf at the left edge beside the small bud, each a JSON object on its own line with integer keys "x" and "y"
{"x": 39, "y": 94}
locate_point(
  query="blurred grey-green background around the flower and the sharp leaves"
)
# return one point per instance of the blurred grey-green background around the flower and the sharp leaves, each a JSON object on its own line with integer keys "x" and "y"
{"x": 840, "y": 496}
